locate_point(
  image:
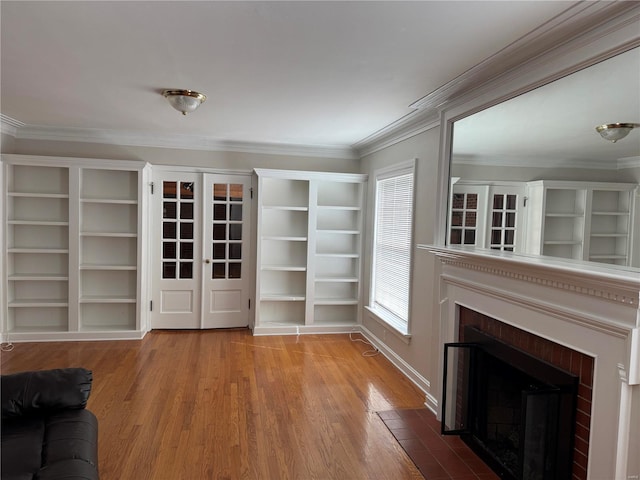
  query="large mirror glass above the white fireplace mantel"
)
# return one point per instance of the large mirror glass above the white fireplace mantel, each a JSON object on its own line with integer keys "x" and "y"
{"x": 532, "y": 175}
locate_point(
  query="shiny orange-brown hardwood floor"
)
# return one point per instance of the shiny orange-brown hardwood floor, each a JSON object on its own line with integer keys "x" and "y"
{"x": 226, "y": 405}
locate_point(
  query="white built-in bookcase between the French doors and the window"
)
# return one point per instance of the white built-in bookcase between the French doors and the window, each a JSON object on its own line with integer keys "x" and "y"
{"x": 309, "y": 244}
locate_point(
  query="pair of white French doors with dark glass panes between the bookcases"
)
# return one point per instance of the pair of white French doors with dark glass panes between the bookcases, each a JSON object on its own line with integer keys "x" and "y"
{"x": 201, "y": 250}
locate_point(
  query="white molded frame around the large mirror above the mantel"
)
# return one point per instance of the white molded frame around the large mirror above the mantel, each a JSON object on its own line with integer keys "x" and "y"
{"x": 601, "y": 43}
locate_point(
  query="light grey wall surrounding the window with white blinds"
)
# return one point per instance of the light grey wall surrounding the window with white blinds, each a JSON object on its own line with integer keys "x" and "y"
{"x": 418, "y": 357}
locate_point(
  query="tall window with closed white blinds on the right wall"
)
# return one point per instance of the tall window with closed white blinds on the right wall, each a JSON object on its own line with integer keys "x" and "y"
{"x": 392, "y": 245}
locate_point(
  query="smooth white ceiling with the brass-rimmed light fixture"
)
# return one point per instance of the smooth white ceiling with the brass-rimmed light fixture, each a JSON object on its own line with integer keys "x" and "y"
{"x": 326, "y": 73}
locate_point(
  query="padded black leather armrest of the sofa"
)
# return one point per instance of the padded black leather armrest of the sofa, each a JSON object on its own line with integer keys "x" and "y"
{"x": 44, "y": 391}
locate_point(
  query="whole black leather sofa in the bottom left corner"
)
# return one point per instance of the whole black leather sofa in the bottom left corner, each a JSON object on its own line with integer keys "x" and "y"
{"x": 47, "y": 434}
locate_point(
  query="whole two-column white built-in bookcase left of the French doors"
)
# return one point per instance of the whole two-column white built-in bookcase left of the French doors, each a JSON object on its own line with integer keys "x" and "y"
{"x": 73, "y": 244}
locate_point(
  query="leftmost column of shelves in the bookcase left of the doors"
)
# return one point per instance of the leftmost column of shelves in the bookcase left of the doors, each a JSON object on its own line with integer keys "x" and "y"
{"x": 37, "y": 240}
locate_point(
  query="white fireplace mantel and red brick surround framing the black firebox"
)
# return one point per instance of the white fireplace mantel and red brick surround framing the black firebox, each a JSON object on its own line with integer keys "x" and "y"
{"x": 583, "y": 318}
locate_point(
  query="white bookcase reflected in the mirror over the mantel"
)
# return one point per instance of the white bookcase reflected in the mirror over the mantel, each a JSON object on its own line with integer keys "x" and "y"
{"x": 582, "y": 220}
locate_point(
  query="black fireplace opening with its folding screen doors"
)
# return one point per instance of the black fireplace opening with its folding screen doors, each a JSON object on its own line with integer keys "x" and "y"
{"x": 516, "y": 411}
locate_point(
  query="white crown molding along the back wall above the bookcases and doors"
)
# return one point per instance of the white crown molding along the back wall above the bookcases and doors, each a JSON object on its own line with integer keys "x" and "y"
{"x": 183, "y": 142}
